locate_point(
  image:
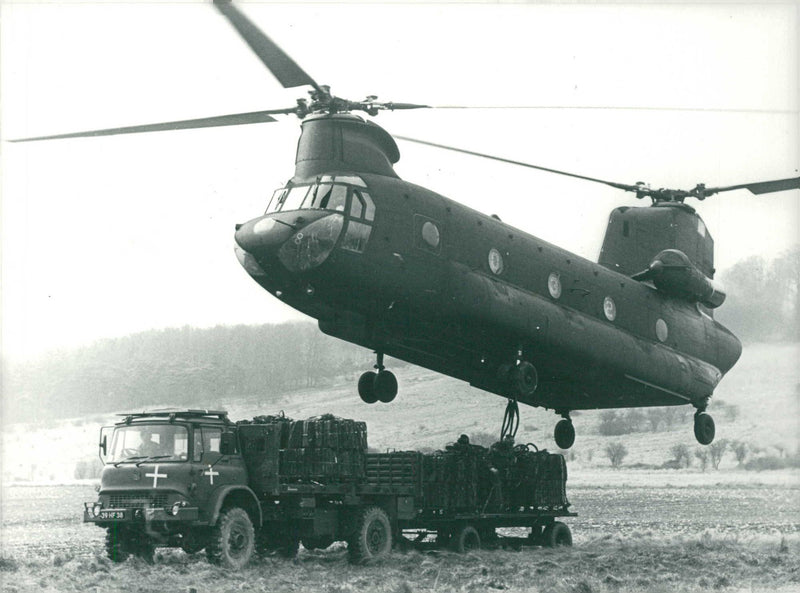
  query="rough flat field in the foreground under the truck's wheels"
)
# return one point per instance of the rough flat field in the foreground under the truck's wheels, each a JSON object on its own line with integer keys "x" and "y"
{"x": 635, "y": 537}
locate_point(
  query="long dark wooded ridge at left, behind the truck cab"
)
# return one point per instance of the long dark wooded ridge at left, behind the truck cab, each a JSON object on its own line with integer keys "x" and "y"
{"x": 181, "y": 366}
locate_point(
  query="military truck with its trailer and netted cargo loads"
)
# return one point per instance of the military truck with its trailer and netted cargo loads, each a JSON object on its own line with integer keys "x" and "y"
{"x": 196, "y": 480}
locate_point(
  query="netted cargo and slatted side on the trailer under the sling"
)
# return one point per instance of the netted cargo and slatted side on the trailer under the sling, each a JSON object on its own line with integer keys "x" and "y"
{"x": 464, "y": 477}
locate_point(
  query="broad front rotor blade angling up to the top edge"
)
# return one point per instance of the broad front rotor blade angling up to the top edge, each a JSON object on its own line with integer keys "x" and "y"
{"x": 288, "y": 73}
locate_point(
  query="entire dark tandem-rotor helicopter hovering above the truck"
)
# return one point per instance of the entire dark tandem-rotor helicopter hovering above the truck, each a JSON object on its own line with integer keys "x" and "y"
{"x": 408, "y": 273}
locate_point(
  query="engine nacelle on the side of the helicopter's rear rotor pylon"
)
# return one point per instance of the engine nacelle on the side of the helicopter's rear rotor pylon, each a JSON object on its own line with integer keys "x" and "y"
{"x": 673, "y": 273}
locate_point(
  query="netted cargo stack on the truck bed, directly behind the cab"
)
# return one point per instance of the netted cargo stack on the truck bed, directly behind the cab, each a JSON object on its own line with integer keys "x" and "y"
{"x": 323, "y": 449}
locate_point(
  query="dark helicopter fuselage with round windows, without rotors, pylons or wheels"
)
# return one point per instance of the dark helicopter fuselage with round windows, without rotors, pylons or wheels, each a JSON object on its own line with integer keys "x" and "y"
{"x": 420, "y": 277}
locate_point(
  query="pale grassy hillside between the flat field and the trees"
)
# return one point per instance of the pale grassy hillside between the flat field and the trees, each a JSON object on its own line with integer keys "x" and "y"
{"x": 758, "y": 402}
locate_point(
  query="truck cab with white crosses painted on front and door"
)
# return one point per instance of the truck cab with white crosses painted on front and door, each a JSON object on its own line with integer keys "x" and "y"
{"x": 167, "y": 476}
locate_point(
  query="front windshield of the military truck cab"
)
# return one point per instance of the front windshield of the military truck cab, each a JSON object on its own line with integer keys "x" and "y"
{"x": 166, "y": 442}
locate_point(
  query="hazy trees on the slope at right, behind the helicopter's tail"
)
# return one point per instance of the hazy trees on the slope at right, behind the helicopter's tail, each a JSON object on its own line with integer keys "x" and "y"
{"x": 762, "y": 301}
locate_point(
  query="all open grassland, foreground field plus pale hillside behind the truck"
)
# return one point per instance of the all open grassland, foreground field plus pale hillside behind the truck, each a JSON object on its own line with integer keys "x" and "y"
{"x": 637, "y": 530}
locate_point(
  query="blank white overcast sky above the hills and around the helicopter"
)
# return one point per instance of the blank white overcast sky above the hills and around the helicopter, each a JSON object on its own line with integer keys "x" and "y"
{"x": 106, "y": 236}
